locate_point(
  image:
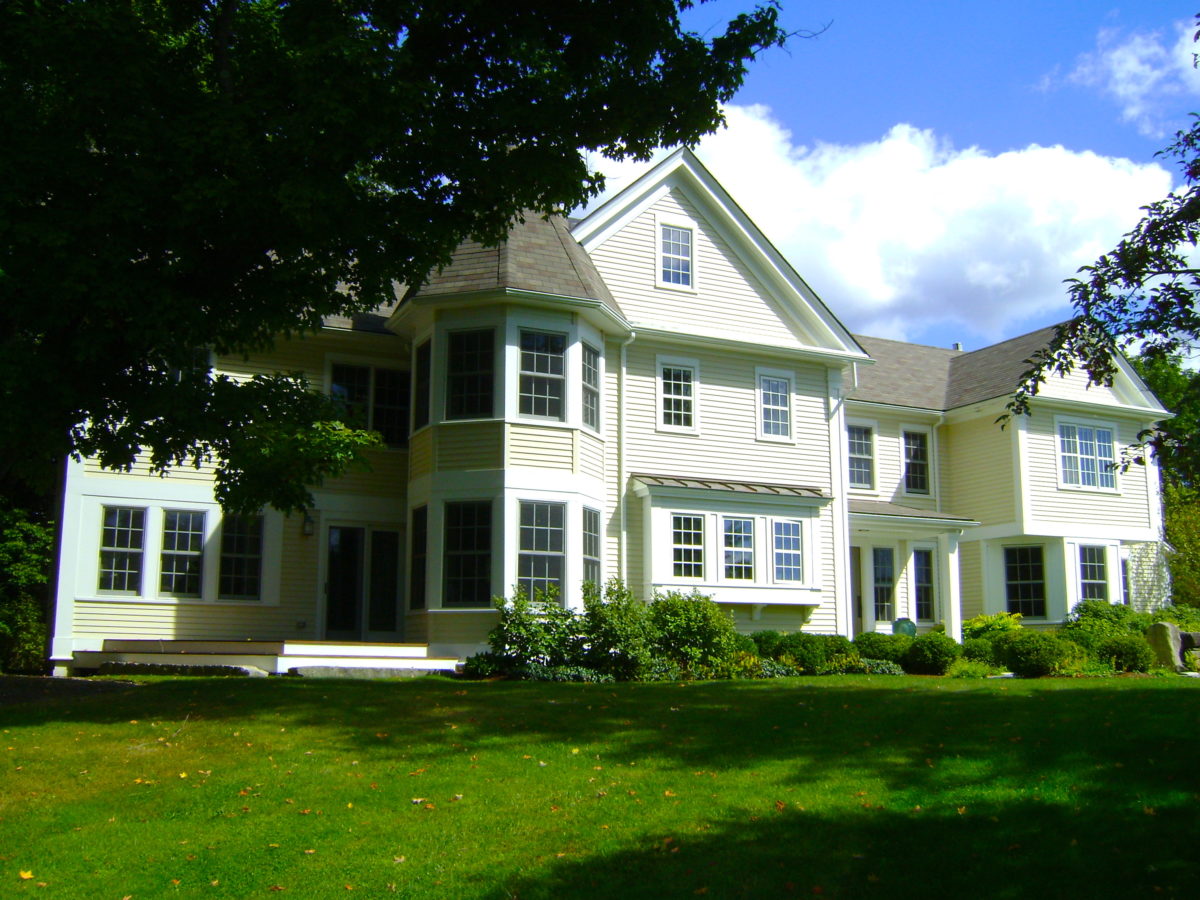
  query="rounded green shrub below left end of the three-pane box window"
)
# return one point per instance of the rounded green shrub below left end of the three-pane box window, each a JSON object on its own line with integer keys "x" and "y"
{"x": 693, "y": 632}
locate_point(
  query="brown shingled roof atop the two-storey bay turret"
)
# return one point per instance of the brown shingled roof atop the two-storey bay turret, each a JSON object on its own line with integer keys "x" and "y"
{"x": 539, "y": 256}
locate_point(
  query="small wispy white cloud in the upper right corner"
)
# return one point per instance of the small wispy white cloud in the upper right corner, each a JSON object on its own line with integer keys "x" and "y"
{"x": 1148, "y": 74}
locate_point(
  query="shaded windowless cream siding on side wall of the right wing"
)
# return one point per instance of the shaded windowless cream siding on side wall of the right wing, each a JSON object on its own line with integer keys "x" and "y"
{"x": 979, "y": 479}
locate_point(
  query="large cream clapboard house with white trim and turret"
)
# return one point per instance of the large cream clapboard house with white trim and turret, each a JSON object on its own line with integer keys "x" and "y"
{"x": 653, "y": 394}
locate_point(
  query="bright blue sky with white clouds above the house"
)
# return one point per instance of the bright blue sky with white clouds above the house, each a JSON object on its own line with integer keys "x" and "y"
{"x": 935, "y": 171}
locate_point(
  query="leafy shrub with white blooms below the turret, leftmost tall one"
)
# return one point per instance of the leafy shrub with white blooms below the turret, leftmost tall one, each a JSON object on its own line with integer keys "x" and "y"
{"x": 537, "y": 632}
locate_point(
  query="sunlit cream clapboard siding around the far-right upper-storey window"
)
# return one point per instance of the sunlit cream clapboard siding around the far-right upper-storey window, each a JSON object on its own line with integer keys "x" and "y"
{"x": 1051, "y": 503}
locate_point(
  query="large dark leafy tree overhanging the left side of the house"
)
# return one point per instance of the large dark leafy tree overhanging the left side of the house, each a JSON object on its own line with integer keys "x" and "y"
{"x": 181, "y": 175}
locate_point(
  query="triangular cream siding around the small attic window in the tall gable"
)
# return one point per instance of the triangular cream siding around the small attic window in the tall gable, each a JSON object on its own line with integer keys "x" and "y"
{"x": 728, "y": 298}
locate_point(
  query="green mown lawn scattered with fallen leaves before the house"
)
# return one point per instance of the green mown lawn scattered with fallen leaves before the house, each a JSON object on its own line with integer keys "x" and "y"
{"x": 841, "y": 788}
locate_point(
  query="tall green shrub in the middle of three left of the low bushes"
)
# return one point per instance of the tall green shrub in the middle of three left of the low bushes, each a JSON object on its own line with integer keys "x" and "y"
{"x": 617, "y": 632}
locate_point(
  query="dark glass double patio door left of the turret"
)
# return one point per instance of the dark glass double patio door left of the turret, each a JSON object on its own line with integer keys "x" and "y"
{"x": 363, "y": 583}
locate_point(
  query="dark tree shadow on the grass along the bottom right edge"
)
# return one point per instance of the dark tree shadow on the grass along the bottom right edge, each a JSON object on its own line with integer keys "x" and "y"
{"x": 1018, "y": 851}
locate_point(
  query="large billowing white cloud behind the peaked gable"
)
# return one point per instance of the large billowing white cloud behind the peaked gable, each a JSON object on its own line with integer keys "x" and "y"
{"x": 914, "y": 239}
